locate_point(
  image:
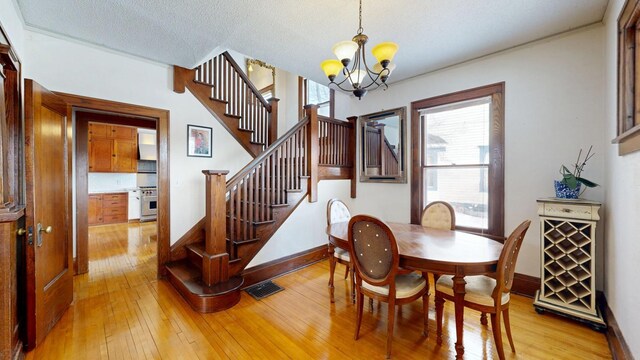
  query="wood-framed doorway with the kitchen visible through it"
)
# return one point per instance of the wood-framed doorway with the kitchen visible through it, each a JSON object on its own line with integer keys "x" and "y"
{"x": 116, "y": 121}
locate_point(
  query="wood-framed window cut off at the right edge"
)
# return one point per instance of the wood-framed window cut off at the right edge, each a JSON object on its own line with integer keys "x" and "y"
{"x": 628, "y": 74}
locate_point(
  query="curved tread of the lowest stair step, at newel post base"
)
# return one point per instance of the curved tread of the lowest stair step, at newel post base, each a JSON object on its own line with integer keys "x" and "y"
{"x": 190, "y": 276}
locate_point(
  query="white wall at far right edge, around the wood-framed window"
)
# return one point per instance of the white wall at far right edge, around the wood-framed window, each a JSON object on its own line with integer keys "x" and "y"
{"x": 622, "y": 250}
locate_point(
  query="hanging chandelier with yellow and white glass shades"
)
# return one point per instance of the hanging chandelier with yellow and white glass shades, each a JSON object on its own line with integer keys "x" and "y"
{"x": 360, "y": 78}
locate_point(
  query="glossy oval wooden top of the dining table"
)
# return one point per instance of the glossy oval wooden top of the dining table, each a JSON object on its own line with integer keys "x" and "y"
{"x": 433, "y": 245}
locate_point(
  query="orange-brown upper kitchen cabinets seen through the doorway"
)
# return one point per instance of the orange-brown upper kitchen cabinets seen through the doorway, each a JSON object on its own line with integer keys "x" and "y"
{"x": 112, "y": 148}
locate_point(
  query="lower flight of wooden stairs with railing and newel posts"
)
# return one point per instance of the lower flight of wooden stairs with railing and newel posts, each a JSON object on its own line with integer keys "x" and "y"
{"x": 243, "y": 213}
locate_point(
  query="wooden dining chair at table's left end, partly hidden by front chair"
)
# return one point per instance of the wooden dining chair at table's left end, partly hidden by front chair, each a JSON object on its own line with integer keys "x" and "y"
{"x": 337, "y": 211}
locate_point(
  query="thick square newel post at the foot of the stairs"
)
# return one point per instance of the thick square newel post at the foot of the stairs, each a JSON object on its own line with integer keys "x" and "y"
{"x": 215, "y": 260}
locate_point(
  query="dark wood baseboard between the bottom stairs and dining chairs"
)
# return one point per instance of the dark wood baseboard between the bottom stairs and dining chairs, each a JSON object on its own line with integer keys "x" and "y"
{"x": 285, "y": 265}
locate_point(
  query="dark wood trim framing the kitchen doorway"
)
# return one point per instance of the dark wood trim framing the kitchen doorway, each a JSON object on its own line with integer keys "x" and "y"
{"x": 161, "y": 117}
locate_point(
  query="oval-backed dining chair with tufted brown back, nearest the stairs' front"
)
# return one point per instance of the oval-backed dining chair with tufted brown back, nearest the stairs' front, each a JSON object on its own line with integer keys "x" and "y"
{"x": 375, "y": 258}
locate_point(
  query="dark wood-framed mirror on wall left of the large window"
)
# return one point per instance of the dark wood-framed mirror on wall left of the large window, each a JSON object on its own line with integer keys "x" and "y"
{"x": 382, "y": 146}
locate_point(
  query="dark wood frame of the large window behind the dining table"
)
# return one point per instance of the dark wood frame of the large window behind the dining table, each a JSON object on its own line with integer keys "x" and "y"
{"x": 496, "y": 166}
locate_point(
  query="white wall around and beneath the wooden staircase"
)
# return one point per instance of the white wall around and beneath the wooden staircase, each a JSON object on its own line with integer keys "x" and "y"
{"x": 77, "y": 68}
